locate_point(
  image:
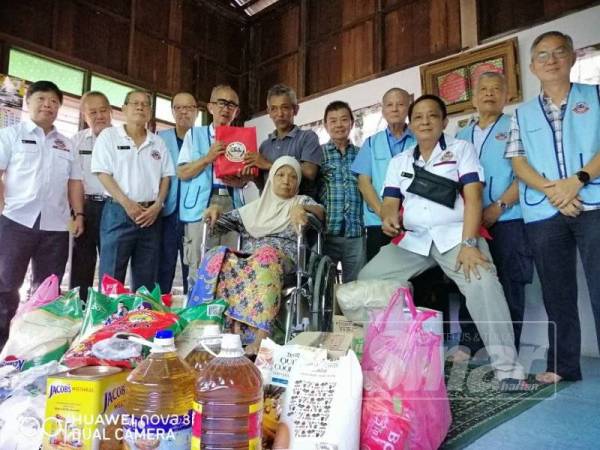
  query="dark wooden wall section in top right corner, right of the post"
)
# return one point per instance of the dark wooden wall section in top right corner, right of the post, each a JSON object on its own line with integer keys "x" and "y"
{"x": 502, "y": 16}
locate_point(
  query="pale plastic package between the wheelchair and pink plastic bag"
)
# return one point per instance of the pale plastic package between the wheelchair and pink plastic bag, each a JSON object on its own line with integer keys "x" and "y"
{"x": 357, "y": 298}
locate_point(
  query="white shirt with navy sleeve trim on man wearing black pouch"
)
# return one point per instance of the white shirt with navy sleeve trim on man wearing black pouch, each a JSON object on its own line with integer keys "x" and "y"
{"x": 428, "y": 222}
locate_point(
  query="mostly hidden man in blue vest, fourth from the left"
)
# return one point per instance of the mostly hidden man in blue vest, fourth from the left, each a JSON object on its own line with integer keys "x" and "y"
{"x": 185, "y": 112}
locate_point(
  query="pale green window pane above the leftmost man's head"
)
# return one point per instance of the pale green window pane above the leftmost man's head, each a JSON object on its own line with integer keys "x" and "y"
{"x": 33, "y": 68}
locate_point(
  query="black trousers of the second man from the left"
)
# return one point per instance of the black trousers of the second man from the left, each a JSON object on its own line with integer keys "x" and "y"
{"x": 86, "y": 249}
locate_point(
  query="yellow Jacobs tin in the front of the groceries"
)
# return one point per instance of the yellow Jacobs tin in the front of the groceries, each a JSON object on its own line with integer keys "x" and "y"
{"x": 83, "y": 408}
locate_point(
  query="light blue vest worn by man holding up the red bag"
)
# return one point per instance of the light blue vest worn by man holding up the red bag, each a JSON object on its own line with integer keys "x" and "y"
{"x": 195, "y": 193}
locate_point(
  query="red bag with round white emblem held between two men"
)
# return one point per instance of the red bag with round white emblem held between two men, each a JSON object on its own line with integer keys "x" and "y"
{"x": 238, "y": 141}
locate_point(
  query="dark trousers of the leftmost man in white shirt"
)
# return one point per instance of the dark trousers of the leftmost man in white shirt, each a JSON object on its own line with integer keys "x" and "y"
{"x": 48, "y": 252}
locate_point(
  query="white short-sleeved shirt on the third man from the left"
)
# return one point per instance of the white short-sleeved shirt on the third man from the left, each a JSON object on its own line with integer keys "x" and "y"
{"x": 137, "y": 171}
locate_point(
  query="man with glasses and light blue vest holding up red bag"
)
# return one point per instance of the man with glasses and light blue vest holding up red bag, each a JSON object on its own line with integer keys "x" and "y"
{"x": 210, "y": 172}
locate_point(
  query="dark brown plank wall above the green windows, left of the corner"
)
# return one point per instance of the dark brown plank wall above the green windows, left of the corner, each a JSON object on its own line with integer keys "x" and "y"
{"x": 163, "y": 45}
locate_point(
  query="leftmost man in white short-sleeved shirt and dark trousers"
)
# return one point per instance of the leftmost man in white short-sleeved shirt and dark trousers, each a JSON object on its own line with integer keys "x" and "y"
{"x": 39, "y": 179}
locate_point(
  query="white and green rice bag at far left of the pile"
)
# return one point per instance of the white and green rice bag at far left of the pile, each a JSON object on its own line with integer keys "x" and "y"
{"x": 43, "y": 333}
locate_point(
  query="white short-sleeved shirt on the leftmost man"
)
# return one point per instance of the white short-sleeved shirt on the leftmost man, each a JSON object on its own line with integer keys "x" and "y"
{"x": 37, "y": 169}
